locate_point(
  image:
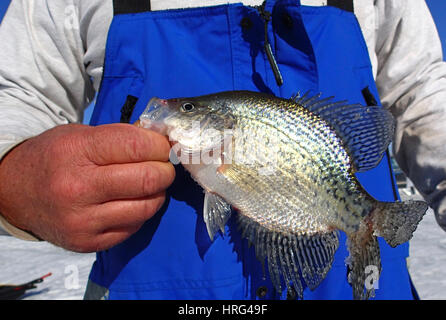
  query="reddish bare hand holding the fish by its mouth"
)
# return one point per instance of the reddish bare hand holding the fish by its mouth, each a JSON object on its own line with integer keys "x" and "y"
{"x": 85, "y": 188}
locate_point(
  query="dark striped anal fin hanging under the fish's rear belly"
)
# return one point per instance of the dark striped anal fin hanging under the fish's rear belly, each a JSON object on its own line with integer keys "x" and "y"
{"x": 296, "y": 260}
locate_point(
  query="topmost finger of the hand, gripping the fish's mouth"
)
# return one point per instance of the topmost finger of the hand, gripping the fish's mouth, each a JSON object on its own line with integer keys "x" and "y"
{"x": 125, "y": 143}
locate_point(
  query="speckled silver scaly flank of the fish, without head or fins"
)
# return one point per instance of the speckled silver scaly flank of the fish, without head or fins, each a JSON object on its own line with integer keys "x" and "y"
{"x": 305, "y": 184}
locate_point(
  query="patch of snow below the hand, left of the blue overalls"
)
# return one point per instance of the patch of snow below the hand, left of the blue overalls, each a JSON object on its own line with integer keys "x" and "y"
{"x": 23, "y": 261}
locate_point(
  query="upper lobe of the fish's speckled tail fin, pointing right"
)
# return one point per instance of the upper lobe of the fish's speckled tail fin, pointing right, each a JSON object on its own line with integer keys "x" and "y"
{"x": 397, "y": 221}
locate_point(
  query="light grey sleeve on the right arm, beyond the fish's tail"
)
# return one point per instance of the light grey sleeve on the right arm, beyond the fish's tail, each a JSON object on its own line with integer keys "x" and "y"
{"x": 411, "y": 80}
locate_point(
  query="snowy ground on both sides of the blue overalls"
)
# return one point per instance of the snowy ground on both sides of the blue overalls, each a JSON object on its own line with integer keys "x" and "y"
{"x": 22, "y": 261}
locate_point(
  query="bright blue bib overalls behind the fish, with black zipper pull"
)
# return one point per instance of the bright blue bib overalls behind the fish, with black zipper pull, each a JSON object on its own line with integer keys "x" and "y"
{"x": 197, "y": 51}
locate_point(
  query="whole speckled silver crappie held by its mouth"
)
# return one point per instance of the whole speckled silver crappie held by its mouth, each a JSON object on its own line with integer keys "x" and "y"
{"x": 288, "y": 168}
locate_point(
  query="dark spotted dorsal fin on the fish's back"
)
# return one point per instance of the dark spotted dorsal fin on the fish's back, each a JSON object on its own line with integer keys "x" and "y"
{"x": 366, "y": 131}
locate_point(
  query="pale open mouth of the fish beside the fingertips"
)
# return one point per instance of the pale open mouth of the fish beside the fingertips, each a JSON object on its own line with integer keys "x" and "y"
{"x": 155, "y": 115}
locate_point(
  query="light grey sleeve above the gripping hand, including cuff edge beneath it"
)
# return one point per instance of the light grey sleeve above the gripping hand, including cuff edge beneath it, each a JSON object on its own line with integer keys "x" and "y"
{"x": 51, "y": 61}
